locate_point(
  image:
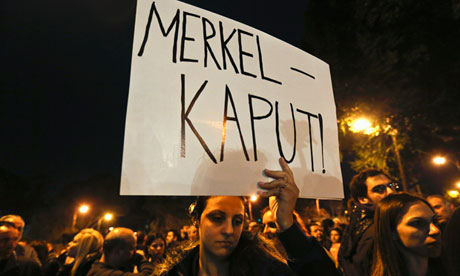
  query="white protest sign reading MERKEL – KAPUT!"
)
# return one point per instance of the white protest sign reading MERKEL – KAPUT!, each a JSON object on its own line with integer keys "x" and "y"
{"x": 212, "y": 102}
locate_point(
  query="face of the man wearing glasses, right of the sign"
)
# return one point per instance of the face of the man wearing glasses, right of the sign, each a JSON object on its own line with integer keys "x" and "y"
{"x": 378, "y": 187}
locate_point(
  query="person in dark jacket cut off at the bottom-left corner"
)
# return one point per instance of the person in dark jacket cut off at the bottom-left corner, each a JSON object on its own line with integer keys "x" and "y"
{"x": 10, "y": 263}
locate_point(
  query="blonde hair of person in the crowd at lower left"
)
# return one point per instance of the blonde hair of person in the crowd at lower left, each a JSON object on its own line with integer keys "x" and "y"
{"x": 89, "y": 242}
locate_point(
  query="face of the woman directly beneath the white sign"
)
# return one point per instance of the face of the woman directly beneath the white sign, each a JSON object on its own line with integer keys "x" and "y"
{"x": 221, "y": 225}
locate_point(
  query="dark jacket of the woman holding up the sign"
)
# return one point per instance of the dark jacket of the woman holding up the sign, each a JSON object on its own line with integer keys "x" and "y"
{"x": 306, "y": 257}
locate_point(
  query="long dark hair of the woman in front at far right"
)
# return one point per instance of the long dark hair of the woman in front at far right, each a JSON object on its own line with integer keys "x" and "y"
{"x": 388, "y": 259}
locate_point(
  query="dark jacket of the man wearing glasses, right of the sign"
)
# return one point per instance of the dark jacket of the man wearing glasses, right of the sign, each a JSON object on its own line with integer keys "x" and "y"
{"x": 356, "y": 248}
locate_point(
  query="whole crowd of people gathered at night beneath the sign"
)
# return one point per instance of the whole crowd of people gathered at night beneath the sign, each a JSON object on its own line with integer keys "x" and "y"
{"x": 388, "y": 233}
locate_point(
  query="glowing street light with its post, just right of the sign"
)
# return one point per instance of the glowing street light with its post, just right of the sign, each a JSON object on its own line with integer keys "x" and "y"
{"x": 363, "y": 125}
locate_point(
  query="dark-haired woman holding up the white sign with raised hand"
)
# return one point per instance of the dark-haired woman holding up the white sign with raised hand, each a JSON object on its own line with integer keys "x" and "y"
{"x": 224, "y": 248}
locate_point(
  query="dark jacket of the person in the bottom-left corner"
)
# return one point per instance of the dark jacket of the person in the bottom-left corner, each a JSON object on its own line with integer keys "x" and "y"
{"x": 19, "y": 266}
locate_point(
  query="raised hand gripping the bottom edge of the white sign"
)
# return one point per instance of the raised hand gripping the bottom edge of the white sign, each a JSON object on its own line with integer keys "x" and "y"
{"x": 283, "y": 193}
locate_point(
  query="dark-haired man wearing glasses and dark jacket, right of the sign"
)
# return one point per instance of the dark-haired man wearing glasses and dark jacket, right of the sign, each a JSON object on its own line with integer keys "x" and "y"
{"x": 367, "y": 188}
